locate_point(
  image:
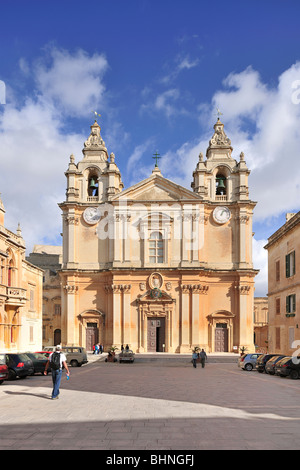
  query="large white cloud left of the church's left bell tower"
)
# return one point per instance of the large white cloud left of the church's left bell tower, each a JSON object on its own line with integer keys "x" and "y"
{"x": 35, "y": 148}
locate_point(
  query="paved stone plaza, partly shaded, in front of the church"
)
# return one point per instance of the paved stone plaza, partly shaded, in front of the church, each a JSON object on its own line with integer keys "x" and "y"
{"x": 152, "y": 406}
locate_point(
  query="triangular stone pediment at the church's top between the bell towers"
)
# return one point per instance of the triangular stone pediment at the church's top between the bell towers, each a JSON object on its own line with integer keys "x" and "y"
{"x": 157, "y": 189}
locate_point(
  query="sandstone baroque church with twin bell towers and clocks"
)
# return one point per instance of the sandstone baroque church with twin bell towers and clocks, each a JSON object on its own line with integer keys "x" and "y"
{"x": 157, "y": 266}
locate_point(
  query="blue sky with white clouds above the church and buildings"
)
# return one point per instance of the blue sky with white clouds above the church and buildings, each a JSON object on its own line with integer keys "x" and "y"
{"x": 156, "y": 71}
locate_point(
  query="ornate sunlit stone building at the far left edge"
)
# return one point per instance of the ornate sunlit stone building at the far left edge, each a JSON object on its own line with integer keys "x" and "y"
{"x": 20, "y": 294}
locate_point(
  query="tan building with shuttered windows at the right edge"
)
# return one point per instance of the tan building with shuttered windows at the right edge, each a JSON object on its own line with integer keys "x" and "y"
{"x": 284, "y": 287}
